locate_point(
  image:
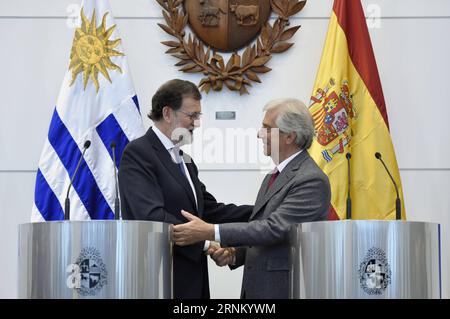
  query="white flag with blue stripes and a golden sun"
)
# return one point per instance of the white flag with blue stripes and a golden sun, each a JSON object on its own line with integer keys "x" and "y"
{"x": 97, "y": 102}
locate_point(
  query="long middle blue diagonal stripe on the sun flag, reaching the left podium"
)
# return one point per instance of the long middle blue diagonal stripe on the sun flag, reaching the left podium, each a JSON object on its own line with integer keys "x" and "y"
{"x": 84, "y": 183}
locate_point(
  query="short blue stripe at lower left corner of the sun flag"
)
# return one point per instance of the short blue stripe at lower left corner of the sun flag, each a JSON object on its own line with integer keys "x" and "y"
{"x": 45, "y": 200}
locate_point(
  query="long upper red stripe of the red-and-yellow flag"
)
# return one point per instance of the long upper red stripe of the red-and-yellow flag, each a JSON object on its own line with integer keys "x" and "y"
{"x": 350, "y": 16}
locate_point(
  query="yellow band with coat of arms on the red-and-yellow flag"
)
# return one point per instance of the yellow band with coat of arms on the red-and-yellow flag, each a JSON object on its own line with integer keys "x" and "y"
{"x": 352, "y": 123}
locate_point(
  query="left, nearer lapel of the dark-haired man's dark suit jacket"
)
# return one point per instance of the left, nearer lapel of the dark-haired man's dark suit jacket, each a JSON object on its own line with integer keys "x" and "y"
{"x": 173, "y": 168}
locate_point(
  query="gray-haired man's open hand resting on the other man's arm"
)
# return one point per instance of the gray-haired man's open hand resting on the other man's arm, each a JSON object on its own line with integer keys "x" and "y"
{"x": 193, "y": 231}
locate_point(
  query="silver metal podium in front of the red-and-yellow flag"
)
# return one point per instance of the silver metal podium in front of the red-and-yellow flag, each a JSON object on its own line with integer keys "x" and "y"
{"x": 365, "y": 259}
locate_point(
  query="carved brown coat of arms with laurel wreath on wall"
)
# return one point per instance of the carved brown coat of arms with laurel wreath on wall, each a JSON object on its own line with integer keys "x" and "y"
{"x": 228, "y": 25}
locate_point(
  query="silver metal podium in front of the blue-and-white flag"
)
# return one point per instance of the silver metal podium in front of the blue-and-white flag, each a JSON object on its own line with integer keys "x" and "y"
{"x": 95, "y": 259}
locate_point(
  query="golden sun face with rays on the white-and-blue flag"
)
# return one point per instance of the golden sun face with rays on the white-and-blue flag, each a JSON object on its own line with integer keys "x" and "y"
{"x": 92, "y": 50}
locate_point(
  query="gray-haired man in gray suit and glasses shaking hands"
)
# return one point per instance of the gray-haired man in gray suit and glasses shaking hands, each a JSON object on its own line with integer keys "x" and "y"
{"x": 296, "y": 191}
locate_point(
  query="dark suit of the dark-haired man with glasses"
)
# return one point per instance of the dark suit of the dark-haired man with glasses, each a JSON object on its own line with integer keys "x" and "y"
{"x": 152, "y": 187}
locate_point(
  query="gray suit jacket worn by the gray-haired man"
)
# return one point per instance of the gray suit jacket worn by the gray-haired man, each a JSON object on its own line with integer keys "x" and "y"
{"x": 301, "y": 193}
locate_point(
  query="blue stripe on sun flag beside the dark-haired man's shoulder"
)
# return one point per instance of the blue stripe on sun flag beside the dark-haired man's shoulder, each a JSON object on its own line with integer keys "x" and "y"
{"x": 109, "y": 130}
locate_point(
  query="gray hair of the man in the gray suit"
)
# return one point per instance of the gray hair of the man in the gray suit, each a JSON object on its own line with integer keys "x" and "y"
{"x": 294, "y": 117}
